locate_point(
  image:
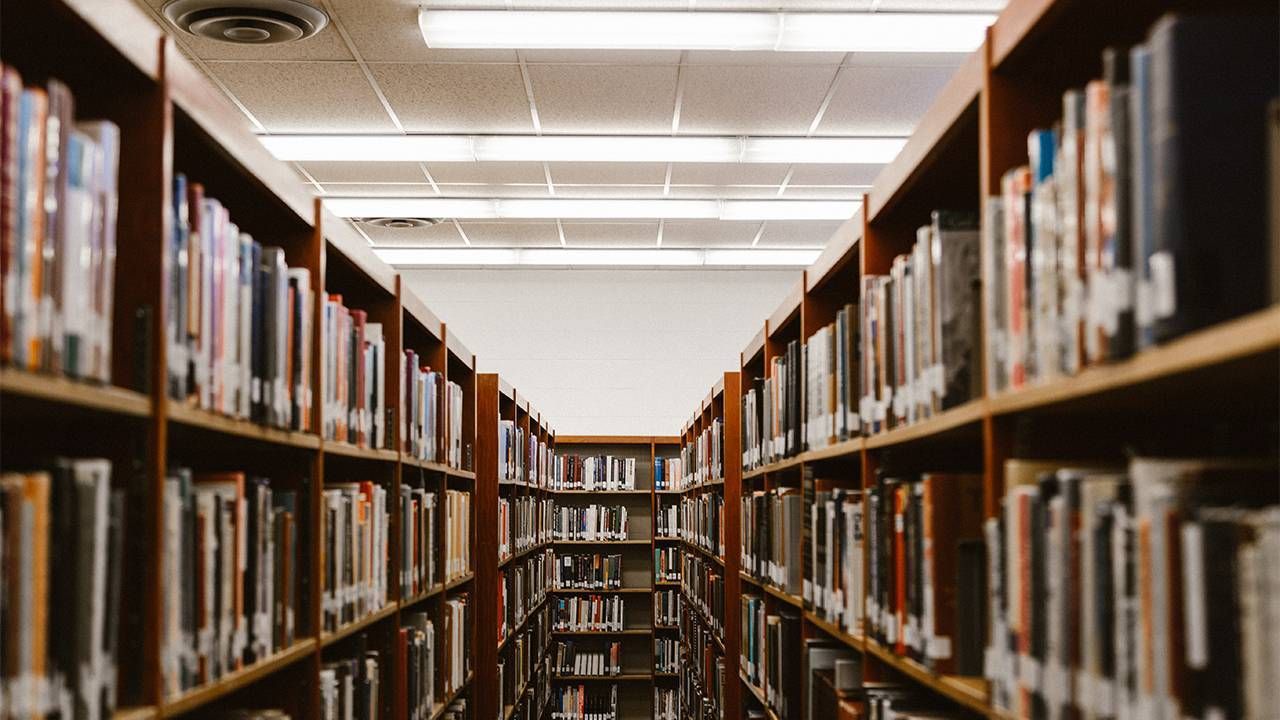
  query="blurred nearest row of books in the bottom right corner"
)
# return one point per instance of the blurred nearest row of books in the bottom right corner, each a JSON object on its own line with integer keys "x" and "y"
{"x": 1139, "y": 591}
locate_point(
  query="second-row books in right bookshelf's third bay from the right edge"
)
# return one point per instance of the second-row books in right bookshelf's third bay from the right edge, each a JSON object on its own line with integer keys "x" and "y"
{"x": 834, "y": 585}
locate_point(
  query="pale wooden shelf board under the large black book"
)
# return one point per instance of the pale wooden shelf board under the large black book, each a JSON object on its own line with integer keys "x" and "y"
{"x": 1233, "y": 340}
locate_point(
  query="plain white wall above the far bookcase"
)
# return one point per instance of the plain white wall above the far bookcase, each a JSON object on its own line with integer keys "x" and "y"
{"x": 606, "y": 352}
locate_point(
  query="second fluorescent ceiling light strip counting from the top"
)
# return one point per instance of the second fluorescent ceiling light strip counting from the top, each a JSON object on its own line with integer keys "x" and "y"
{"x": 580, "y": 149}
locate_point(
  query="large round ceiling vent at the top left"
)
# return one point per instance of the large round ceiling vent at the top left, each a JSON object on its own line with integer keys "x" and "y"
{"x": 248, "y": 22}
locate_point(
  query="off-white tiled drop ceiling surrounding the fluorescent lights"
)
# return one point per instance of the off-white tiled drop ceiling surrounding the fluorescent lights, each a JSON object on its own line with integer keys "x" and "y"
{"x": 371, "y": 72}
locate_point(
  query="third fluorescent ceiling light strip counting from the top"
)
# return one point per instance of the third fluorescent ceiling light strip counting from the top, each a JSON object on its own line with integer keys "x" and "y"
{"x": 490, "y": 209}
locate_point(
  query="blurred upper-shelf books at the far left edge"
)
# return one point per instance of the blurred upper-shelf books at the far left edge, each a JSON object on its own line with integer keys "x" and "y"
{"x": 58, "y": 222}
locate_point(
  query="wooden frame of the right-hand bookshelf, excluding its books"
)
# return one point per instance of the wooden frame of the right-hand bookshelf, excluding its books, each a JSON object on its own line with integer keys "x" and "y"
{"x": 1224, "y": 379}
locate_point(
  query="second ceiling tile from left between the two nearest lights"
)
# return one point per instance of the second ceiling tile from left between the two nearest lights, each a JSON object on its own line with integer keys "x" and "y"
{"x": 444, "y": 98}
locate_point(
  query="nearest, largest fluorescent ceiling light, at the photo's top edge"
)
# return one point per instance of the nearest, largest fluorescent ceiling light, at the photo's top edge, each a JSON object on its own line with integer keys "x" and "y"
{"x": 643, "y": 30}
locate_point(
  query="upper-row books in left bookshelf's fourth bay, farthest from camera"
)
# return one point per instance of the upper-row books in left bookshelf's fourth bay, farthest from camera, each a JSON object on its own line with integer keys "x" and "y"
{"x": 432, "y": 413}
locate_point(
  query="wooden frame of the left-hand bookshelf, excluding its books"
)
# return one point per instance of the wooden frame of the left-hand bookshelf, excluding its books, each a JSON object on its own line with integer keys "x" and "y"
{"x": 120, "y": 66}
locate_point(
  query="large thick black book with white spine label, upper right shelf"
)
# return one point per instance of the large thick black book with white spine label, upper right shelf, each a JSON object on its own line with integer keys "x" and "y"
{"x": 1212, "y": 80}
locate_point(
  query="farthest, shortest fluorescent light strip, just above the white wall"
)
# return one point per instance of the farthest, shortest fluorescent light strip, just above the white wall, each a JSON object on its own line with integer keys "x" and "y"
{"x": 579, "y": 258}
